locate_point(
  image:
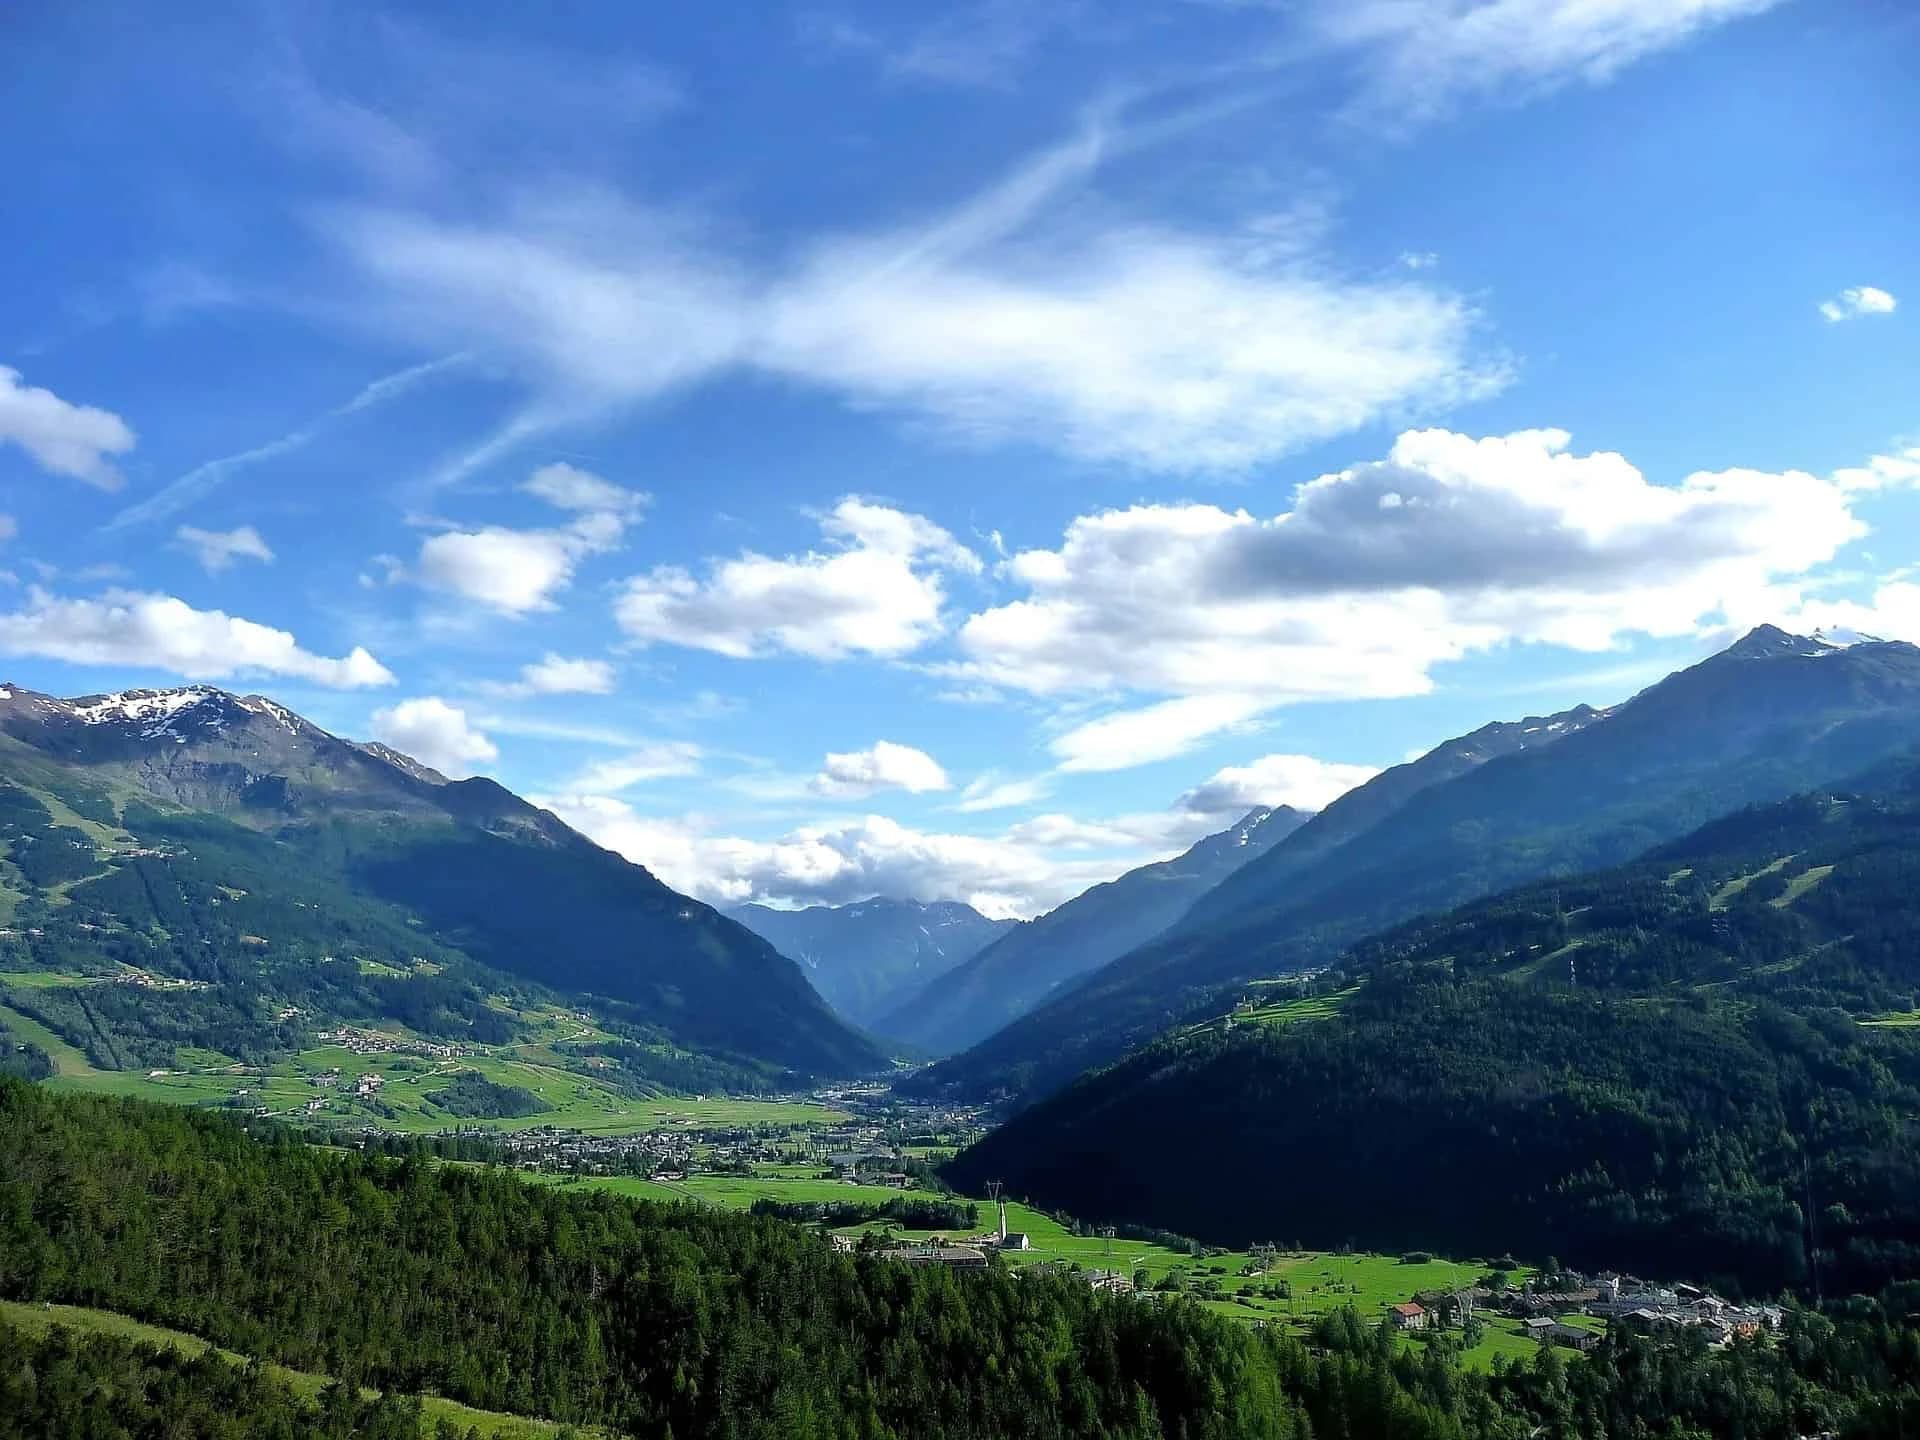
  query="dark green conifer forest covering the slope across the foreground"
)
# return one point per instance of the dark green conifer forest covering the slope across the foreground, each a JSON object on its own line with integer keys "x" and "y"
{"x": 679, "y": 1322}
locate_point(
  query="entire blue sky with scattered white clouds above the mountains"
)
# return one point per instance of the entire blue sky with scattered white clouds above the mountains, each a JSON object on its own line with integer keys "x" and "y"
{"x": 955, "y": 450}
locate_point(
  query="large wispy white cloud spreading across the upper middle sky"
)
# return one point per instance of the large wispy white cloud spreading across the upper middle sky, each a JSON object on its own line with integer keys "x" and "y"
{"x": 980, "y": 322}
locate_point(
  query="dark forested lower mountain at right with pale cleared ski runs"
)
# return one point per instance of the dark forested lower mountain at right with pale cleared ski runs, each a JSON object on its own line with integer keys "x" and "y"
{"x": 1702, "y": 1065}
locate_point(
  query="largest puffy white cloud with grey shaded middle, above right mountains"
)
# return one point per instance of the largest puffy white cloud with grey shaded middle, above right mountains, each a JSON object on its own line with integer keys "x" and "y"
{"x": 1381, "y": 571}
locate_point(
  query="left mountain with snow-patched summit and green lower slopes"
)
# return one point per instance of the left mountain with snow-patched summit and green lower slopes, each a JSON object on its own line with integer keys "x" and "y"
{"x": 256, "y": 867}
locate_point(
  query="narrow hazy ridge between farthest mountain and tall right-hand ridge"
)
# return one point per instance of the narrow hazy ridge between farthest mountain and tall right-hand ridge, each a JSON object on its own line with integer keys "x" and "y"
{"x": 1028, "y": 965}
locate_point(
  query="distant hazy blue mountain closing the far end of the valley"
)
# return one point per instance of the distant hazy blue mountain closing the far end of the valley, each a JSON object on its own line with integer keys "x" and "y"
{"x": 869, "y": 957}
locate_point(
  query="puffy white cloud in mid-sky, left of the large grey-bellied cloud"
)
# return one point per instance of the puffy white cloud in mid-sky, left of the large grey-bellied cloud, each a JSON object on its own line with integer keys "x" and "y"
{"x": 875, "y": 592}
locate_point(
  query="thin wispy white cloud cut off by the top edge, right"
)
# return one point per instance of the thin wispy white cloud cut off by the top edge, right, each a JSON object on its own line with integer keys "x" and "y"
{"x": 1422, "y": 57}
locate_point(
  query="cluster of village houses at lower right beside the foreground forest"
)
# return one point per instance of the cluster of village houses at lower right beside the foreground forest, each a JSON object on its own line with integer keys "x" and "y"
{"x": 1612, "y": 1299}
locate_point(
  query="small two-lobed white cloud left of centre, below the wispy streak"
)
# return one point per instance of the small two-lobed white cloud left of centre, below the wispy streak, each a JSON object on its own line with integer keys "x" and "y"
{"x": 521, "y": 571}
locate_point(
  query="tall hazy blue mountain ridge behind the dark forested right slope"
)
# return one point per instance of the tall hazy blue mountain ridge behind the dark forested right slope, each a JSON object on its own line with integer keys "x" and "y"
{"x": 1585, "y": 790}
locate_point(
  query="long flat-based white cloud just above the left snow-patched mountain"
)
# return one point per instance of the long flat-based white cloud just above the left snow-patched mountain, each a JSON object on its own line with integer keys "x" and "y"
{"x": 160, "y": 633}
